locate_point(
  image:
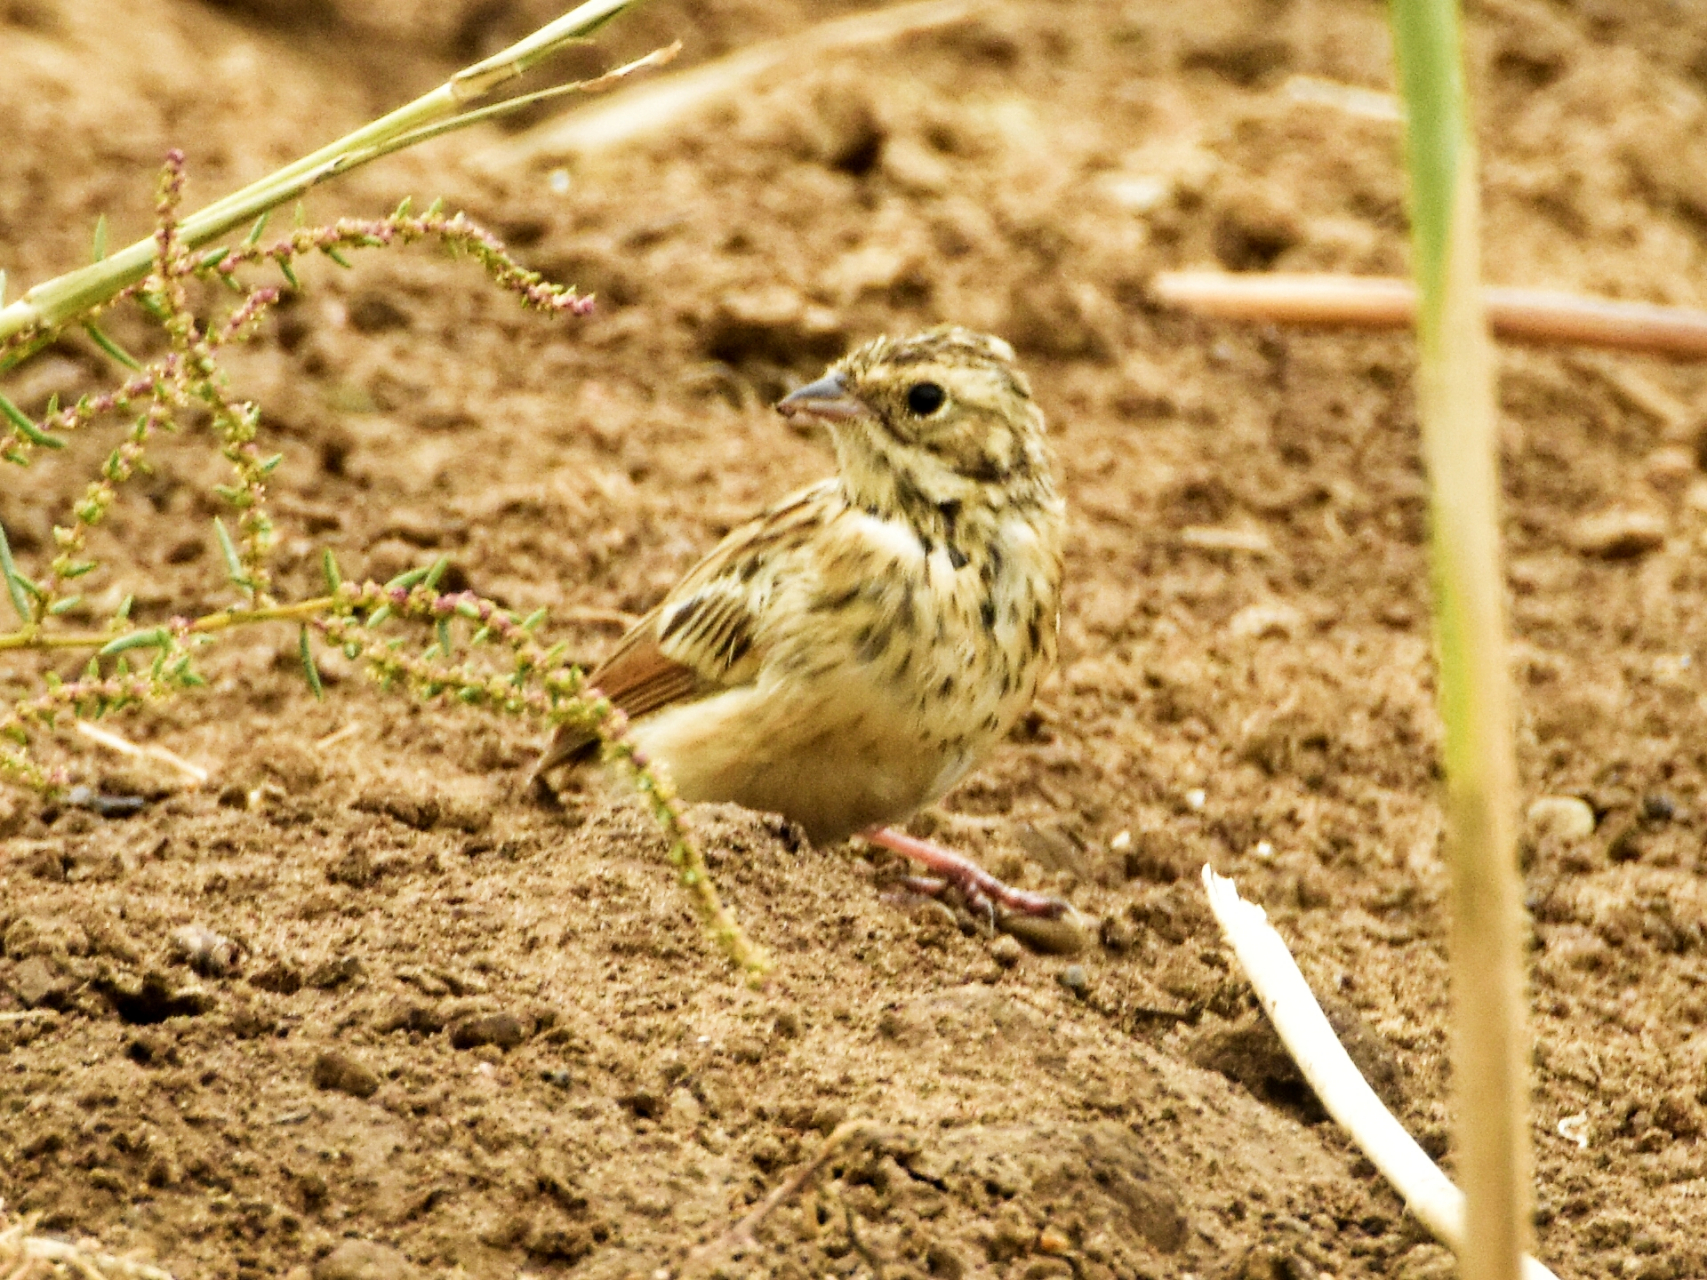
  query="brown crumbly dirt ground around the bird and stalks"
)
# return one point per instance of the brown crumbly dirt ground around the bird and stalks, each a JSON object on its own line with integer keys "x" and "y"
{"x": 462, "y": 1032}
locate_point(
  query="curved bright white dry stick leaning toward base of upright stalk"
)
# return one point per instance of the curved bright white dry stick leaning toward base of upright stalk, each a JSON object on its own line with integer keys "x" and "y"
{"x": 1325, "y": 1066}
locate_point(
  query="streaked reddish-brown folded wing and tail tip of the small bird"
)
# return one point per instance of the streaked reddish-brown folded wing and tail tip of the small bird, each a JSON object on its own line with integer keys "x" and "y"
{"x": 709, "y": 634}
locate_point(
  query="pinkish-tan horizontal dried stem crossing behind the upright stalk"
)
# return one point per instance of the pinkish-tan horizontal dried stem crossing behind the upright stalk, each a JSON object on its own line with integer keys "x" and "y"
{"x": 1375, "y": 303}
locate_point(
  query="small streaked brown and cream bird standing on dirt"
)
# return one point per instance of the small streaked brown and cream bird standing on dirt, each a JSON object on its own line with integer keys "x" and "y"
{"x": 848, "y": 656}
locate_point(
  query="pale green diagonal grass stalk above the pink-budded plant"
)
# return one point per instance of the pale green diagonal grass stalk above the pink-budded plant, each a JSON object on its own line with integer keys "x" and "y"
{"x": 55, "y": 303}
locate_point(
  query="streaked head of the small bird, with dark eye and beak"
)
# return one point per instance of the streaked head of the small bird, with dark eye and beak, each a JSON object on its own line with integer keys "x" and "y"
{"x": 931, "y": 421}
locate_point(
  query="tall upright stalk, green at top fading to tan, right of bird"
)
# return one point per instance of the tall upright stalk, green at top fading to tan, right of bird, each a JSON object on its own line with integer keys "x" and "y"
{"x": 1460, "y": 448}
